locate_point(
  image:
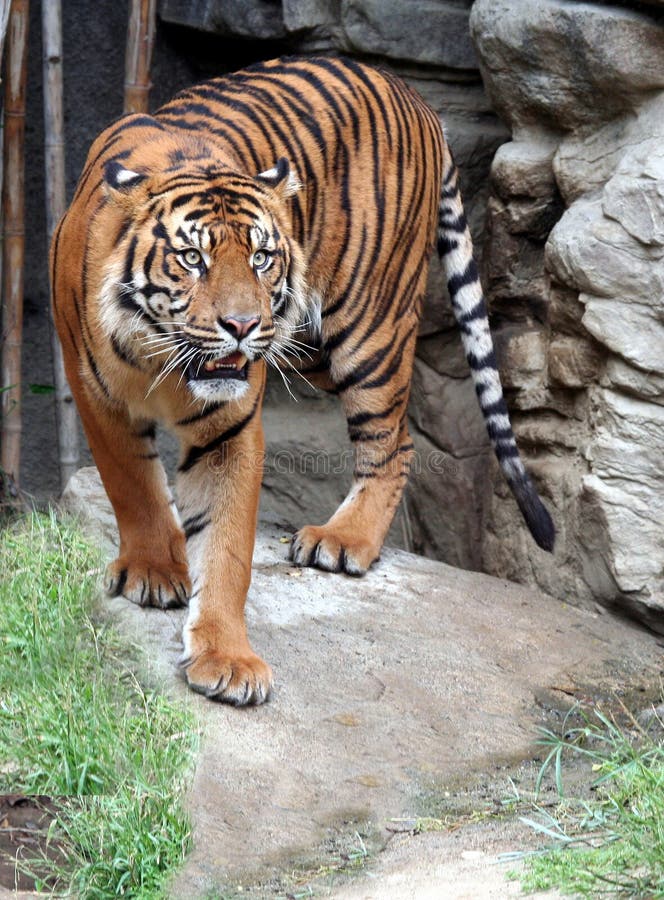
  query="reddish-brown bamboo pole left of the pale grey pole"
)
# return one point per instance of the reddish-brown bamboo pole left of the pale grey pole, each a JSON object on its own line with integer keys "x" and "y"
{"x": 14, "y": 237}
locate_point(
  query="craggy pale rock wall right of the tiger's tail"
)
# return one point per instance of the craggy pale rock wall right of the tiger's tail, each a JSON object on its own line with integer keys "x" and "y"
{"x": 574, "y": 271}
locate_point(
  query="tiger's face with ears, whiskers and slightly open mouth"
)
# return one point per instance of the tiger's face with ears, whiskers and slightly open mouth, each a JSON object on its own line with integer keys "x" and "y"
{"x": 204, "y": 279}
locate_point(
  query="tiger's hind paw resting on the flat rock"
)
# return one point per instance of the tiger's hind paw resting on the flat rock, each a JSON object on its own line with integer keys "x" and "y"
{"x": 324, "y": 547}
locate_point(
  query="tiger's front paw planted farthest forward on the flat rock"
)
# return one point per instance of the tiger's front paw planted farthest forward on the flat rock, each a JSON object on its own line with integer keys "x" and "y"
{"x": 241, "y": 680}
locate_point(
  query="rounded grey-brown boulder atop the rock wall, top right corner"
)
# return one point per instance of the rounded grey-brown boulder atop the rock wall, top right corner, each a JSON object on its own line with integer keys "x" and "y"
{"x": 561, "y": 65}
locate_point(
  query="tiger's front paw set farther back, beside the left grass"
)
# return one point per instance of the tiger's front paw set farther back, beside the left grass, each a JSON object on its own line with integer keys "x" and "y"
{"x": 148, "y": 584}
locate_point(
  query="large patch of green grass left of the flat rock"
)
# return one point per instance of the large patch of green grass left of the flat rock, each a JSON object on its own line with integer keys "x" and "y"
{"x": 76, "y": 724}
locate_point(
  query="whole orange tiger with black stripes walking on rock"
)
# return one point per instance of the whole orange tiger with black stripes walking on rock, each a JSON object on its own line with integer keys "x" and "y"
{"x": 295, "y": 203}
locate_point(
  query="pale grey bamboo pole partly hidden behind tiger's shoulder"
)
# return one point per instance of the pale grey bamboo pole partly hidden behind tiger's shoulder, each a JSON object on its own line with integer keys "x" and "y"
{"x": 54, "y": 157}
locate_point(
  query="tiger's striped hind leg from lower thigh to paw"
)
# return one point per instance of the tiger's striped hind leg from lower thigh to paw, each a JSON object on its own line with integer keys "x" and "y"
{"x": 374, "y": 394}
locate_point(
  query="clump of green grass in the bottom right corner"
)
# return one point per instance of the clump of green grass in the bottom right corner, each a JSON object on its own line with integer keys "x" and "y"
{"x": 613, "y": 843}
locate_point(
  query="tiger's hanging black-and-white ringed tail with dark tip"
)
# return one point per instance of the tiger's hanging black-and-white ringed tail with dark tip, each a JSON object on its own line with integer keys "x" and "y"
{"x": 456, "y": 252}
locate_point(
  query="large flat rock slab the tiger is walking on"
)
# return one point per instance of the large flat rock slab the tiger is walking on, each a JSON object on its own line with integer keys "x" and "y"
{"x": 388, "y": 689}
